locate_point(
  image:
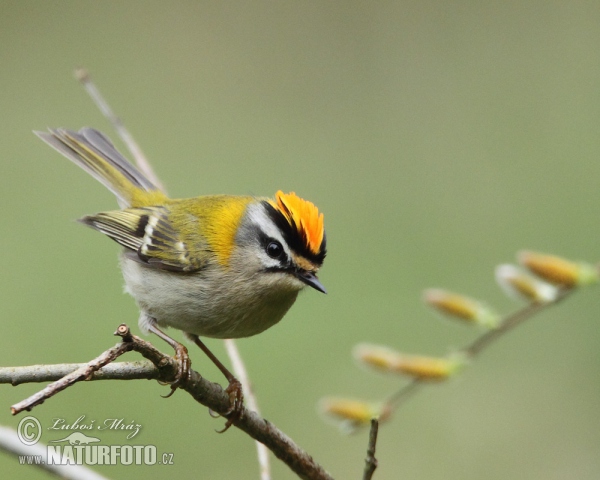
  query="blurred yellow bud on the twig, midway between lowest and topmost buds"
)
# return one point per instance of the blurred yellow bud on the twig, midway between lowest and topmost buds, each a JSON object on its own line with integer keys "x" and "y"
{"x": 462, "y": 307}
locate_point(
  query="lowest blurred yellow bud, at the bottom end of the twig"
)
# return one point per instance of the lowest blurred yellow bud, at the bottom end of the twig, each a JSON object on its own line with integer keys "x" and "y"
{"x": 353, "y": 413}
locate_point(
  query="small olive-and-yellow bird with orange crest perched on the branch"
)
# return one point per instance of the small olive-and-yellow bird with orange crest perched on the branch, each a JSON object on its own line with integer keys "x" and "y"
{"x": 219, "y": 266}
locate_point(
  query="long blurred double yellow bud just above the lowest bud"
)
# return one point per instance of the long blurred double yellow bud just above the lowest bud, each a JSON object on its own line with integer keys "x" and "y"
{"x": 421, "y": 367}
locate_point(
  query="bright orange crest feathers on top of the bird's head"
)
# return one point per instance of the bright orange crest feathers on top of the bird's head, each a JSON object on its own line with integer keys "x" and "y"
{"x": 304, "y": 217}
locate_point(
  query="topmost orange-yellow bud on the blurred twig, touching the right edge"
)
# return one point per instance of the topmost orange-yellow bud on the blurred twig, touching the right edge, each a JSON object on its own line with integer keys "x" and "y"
{"x": 557, "y": 270}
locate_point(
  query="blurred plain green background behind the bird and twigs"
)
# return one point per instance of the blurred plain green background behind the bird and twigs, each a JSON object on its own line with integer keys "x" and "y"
{"x": 437, "y": 137}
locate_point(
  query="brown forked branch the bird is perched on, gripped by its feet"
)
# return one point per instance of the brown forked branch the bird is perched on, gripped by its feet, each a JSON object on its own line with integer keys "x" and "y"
{"x": 203, "y": 391}
